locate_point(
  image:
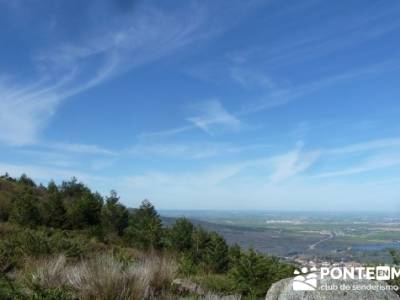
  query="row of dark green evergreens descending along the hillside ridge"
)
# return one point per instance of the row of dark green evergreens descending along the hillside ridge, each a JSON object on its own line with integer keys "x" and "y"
{"x": 73, "y": 206}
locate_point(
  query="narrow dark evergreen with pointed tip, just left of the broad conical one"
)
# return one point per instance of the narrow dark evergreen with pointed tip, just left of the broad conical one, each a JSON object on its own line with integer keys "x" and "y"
{"x": 114, "y": 216}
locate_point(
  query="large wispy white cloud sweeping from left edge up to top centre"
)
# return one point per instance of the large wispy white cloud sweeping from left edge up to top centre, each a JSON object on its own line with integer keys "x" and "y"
{"x": 68, "y": 67}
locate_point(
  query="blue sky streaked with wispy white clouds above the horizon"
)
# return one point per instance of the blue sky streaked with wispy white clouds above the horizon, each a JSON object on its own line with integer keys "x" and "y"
{"x": 236, "y": 105}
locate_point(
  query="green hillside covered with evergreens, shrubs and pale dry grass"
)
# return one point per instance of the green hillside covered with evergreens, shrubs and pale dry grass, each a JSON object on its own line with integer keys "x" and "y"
{"x": 67, "y": 242}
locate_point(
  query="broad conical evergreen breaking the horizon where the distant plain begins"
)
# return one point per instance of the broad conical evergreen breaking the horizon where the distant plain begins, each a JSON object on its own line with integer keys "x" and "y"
{"x": 145, "y": 227}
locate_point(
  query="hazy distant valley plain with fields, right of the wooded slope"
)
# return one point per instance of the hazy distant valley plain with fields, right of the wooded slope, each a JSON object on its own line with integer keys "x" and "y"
{"x": 305, "y": 236}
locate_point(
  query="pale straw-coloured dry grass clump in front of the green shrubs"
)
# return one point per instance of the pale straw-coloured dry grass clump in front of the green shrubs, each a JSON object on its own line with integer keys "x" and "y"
{"x": 104, "y": 277}
